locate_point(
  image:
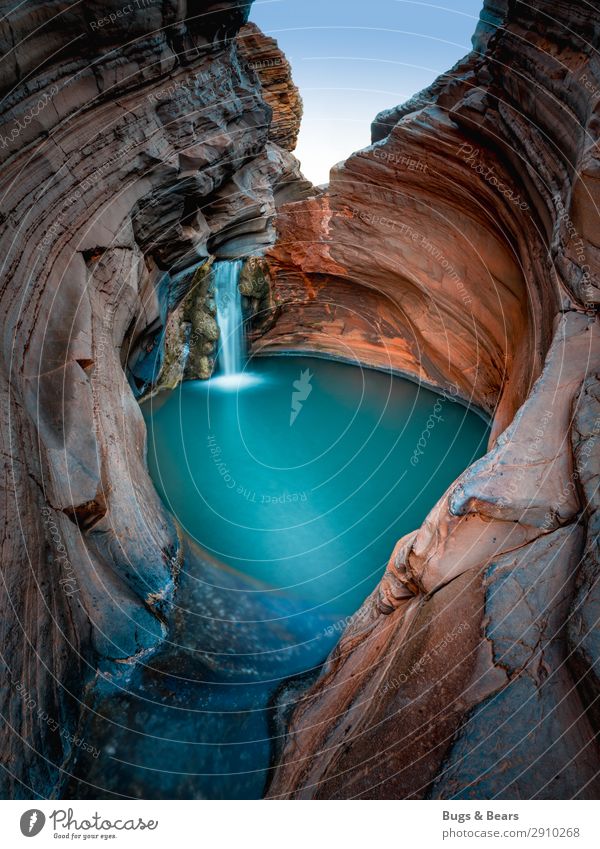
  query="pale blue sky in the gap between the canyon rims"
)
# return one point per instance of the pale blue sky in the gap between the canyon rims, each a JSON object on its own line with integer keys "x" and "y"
{"x": 352, "y": 58}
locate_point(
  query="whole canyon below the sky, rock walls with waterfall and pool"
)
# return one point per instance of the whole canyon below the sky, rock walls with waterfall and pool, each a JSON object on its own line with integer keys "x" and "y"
{"x": 301, "y": 481}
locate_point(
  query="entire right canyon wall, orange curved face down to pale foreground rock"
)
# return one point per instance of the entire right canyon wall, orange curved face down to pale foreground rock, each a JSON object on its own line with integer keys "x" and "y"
{"x": 461, "y": 248}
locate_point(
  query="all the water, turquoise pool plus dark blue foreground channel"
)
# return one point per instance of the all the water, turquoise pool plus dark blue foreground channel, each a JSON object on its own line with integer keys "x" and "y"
{"x": 293, "y": 483}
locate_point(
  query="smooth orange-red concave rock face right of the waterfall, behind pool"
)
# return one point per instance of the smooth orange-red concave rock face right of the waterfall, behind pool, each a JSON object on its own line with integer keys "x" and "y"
{"x": 398, "y": 222}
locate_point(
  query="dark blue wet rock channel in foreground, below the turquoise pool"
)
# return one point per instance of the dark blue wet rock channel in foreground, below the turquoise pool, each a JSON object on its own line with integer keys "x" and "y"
{"x": 195, "y": 720}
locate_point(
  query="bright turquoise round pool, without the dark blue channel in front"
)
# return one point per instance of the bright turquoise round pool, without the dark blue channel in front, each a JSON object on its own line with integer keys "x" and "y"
{"x": 304, "y": 472}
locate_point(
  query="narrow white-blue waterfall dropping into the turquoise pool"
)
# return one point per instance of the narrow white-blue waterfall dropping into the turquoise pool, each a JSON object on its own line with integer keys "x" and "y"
{"x": 232, "y": 344}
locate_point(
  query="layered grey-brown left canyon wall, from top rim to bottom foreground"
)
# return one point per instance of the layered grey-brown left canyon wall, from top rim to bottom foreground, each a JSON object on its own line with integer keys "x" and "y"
{"x": 136, "y": 144}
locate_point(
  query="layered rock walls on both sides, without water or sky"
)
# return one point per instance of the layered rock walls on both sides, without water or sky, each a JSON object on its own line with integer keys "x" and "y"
{"x": 461, "y": 249}
